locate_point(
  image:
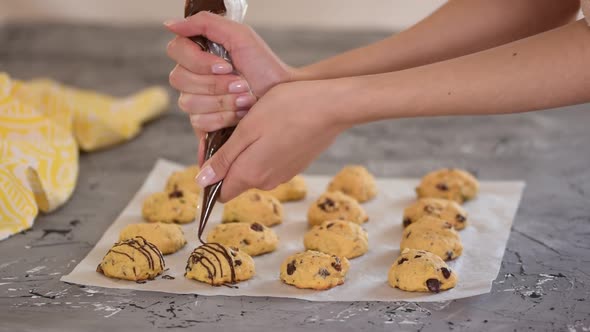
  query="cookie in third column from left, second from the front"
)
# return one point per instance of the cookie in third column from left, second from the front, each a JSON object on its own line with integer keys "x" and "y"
{"x": 338, "y": 237}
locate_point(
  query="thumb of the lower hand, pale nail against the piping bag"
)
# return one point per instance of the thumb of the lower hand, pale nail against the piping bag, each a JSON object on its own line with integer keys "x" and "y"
{"x": 215, "y": 169}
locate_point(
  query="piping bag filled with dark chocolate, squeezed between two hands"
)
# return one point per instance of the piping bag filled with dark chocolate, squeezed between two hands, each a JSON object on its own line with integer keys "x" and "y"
{"x": 234, "y": 10}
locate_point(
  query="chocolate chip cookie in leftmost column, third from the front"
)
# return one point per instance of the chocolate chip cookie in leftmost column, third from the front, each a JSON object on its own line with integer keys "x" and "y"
{"x": 174, "y": 207}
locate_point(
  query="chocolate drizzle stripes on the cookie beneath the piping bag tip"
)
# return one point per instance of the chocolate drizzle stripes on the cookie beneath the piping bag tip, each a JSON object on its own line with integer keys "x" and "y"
{"x": 213, "y": 266}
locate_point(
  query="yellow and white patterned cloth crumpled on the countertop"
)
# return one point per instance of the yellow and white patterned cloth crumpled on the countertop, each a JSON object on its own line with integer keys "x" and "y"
{"x": 43, "y": 124}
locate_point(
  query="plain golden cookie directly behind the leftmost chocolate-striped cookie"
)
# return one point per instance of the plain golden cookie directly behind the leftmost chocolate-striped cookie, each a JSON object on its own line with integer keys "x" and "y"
{"x": 168, "y": 238}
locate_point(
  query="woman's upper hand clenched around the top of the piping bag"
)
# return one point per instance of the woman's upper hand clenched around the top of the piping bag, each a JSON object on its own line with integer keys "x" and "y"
{"x": 210, "y": 91}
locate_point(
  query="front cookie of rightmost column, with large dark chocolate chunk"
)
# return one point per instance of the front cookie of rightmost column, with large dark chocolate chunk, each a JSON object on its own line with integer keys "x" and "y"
{"x": 421, "y": 271}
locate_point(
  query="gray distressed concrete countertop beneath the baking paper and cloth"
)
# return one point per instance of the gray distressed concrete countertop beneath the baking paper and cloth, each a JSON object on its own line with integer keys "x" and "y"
{"x": 545, "y": 275}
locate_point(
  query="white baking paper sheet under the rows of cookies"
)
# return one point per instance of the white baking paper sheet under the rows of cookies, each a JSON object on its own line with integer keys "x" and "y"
{"x": 484, "y": 240}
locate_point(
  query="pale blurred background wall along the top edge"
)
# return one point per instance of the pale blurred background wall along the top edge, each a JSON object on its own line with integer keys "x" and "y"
{"x": 325, "y": 14}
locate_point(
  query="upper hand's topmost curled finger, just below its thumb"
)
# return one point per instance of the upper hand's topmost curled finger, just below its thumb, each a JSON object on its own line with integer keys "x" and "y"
{"x": 190, "y": 56}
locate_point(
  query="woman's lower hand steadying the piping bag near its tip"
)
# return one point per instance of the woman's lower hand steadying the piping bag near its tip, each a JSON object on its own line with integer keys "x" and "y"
{"x": 284, "y": 131}
